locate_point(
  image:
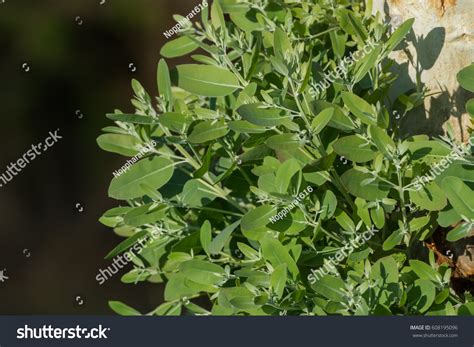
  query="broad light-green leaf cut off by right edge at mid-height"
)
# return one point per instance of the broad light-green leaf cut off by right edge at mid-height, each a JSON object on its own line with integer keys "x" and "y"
{"x": 459, "y": 195}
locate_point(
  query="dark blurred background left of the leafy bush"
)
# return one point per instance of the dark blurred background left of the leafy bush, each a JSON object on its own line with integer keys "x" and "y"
{"x": 77, "y": 55}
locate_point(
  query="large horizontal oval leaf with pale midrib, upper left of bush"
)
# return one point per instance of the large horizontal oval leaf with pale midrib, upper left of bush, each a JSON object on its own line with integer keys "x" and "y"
{"x": 206, "y": 80}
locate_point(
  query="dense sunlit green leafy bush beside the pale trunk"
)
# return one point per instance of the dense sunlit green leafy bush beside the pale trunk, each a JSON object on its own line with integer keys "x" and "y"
{"x": 240, "y": 139}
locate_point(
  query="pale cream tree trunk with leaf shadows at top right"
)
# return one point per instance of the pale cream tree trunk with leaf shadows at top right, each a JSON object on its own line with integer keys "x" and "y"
{"x": 442, "y": 45}
